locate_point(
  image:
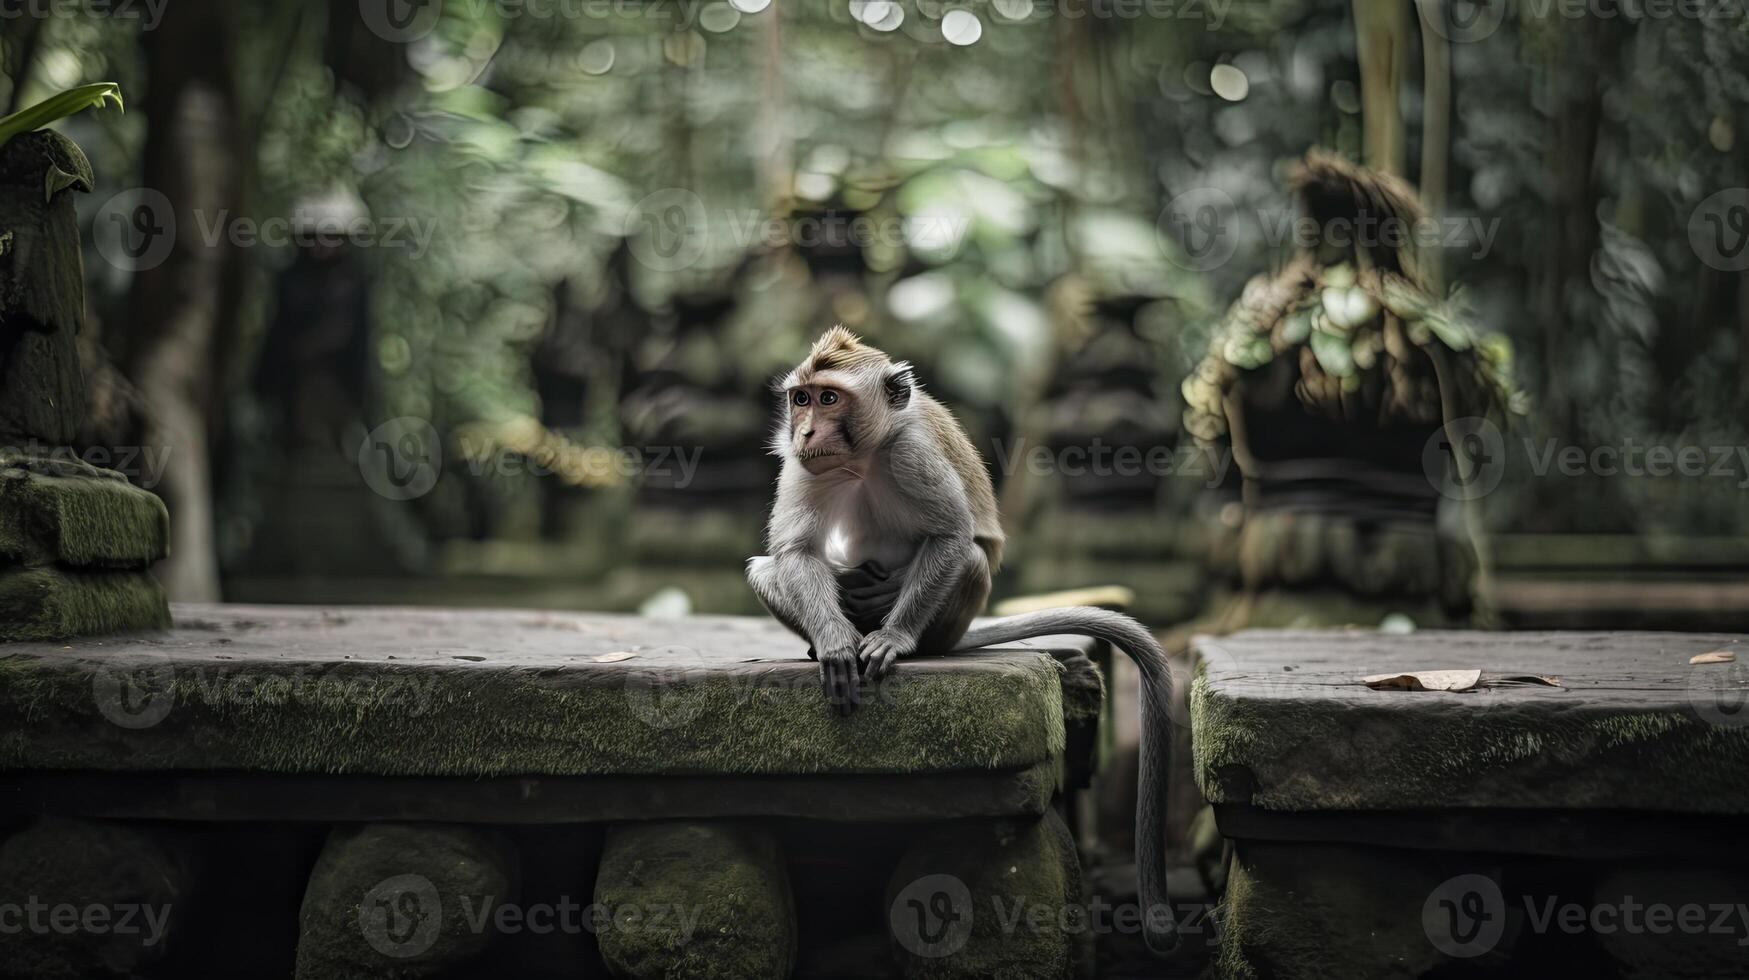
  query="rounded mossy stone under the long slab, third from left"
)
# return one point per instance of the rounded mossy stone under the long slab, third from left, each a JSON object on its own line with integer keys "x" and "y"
{"x": 695, "y": 900}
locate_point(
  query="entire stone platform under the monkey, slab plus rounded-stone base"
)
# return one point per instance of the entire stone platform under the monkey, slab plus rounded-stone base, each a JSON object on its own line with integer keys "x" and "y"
{"x": 382, "y": 773}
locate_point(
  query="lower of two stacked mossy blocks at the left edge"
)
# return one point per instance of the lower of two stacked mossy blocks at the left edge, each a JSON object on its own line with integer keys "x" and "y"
{"x": 48, "y": 603}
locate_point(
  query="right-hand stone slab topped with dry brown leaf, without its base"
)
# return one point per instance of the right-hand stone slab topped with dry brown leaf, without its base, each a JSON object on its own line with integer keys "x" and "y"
{"x": 1283, "y": 722}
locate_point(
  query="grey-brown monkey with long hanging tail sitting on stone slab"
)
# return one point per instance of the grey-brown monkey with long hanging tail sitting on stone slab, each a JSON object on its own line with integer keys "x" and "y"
{"x": 884, "y": 538}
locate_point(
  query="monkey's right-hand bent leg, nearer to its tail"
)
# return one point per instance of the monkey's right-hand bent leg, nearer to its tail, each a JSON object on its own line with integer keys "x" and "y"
{"x": 947, "y": 585}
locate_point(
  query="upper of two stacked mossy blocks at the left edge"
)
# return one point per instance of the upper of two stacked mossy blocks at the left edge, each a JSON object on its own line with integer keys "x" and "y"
{"x": 80, "y": 521}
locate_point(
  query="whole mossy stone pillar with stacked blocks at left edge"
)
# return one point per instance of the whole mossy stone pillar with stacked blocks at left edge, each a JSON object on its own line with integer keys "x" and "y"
{"x": 76, "y": 542}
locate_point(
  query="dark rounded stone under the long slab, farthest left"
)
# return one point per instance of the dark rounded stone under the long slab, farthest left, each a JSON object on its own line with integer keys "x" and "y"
{"x": 94, "y": 899}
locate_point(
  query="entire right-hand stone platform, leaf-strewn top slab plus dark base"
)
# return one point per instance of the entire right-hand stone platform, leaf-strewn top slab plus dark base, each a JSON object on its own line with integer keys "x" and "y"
{"x": 1430, "y": 834}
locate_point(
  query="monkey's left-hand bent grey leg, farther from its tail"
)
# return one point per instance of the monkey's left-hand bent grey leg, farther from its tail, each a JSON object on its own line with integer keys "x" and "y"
{"x": 802, "y": 594}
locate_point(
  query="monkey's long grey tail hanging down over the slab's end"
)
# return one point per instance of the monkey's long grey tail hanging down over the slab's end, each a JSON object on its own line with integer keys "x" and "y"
{"x": 1134, "y": 640}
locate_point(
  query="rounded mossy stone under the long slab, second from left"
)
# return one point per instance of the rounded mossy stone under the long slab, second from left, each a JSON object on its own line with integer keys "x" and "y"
{"x": 391, "y": 902}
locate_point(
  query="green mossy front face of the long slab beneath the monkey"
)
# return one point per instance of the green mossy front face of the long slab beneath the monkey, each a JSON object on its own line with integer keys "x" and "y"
{"x": 442, "y": 718}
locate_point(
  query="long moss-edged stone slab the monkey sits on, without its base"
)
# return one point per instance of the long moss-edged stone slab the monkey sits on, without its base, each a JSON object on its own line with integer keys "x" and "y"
{"x": 424, "y": 692}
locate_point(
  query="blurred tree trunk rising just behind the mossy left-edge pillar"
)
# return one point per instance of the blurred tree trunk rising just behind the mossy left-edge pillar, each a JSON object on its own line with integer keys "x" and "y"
{"x": 179, "y": 305}
